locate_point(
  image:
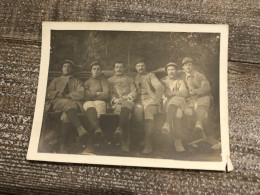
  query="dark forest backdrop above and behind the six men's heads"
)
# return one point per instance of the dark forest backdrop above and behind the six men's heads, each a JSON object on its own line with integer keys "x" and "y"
{"x": 158, "y": 48}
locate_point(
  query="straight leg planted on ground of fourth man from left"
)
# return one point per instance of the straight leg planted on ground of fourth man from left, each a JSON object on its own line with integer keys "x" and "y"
{"x": 149, "y": 112}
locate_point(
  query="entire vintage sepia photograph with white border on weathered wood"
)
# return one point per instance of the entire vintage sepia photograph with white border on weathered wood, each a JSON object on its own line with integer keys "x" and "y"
{"x": 132, "y": 94}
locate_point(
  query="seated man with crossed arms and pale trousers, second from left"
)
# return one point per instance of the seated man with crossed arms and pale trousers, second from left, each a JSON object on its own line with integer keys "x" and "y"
{"x": 96, "y": 95}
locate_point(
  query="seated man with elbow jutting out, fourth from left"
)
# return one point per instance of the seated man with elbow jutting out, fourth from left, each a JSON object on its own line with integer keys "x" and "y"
{"x": 150, "y": 91}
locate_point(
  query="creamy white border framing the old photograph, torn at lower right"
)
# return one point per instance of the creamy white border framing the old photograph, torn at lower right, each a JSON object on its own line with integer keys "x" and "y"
{"x": 33, "y": 154}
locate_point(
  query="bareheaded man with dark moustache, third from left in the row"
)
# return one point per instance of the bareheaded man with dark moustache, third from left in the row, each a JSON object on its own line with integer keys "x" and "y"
{"x": 123, "y": 93}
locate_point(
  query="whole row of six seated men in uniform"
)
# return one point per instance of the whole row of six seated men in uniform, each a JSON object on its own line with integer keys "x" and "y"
{"x": 140, "y": 96}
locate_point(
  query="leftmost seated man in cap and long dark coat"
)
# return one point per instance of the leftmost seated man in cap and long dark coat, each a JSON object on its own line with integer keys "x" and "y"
{"x": 63, "y": 95}
